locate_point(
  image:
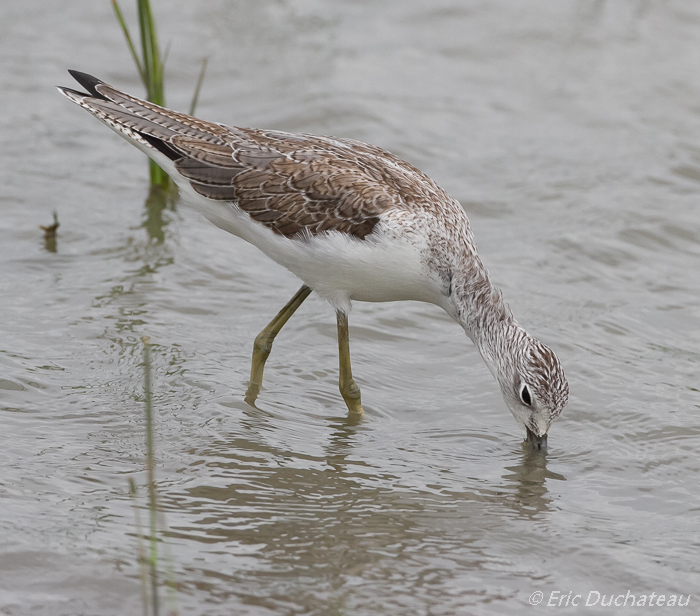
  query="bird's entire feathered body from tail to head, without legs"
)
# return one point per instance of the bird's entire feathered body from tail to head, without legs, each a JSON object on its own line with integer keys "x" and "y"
{"x": 350, "y": 219}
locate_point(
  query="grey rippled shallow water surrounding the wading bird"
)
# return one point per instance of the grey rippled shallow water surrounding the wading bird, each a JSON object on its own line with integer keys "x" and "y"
{"x": 569, "y": 131}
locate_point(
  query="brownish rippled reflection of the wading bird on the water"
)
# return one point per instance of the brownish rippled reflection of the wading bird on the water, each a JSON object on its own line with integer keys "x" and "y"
{"x": 319, "y": 521}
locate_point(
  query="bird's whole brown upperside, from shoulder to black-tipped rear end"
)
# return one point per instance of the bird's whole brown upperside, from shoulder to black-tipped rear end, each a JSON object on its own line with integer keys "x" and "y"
{"x": 289, "y": 183}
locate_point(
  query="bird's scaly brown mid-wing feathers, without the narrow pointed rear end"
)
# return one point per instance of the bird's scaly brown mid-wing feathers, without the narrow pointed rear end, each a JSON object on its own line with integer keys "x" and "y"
{"x": 294, "y": 183}
